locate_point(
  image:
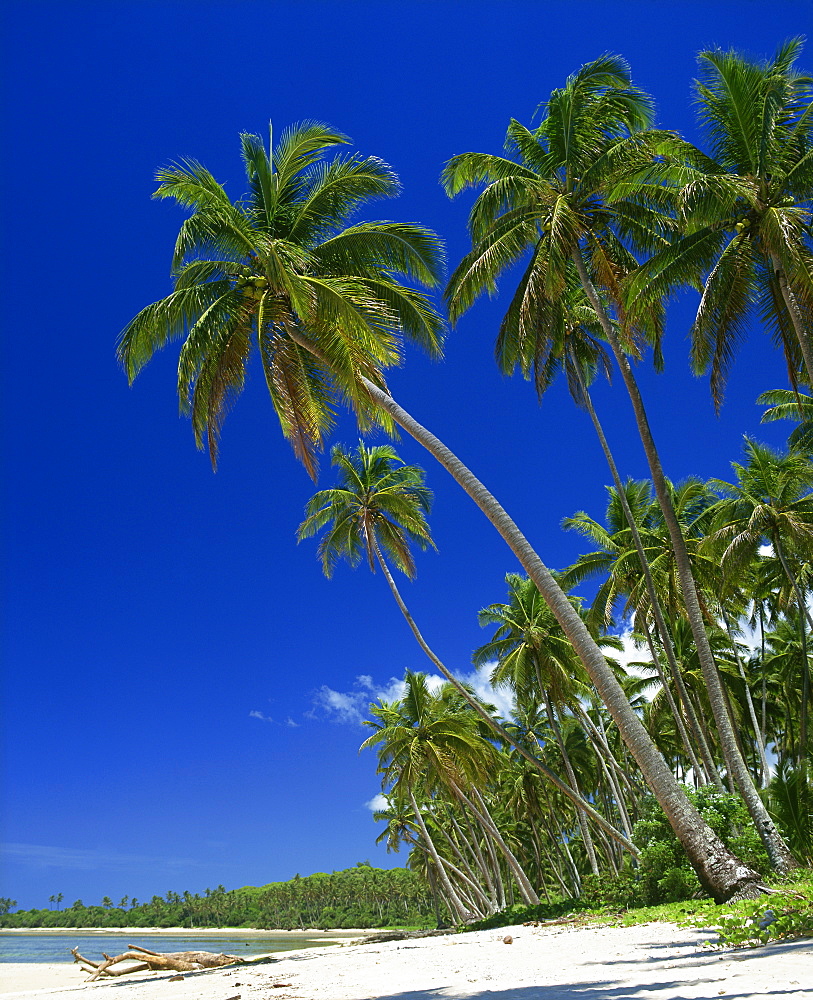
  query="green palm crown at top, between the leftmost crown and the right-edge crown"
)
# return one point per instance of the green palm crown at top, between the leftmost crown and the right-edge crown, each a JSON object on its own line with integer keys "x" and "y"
{"x": 553, "y": 195}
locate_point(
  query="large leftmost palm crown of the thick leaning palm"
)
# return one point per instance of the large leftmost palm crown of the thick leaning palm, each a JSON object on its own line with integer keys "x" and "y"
{"x": 280, "y": 270}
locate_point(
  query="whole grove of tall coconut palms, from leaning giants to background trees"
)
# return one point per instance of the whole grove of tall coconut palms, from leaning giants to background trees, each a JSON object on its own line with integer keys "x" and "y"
{"x": 691, "y": 771}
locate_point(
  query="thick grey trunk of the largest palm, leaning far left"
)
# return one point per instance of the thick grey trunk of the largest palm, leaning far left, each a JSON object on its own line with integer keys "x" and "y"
{"x": 721, "y": 874}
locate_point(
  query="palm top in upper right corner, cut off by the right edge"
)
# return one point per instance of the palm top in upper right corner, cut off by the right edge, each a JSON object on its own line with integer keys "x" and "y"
{"x": 746, "y": 210}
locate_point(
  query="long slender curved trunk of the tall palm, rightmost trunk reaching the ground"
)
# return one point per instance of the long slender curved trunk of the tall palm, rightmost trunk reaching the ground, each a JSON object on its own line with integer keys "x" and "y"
{"x": 781, "y": 858}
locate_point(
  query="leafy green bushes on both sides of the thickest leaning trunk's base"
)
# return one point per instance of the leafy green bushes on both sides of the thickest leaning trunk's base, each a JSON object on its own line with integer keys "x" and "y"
{"x": 665, "y": 873}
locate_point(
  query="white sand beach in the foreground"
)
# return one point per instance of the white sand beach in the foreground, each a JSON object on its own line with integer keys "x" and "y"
{"x": 651, "y": 962}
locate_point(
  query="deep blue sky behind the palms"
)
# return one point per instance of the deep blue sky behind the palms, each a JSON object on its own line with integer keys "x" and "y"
{"x": 182, "y": 687}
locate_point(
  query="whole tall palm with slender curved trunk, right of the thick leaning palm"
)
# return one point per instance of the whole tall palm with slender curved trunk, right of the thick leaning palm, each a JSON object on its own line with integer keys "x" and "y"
{"x": 573, "y": 200}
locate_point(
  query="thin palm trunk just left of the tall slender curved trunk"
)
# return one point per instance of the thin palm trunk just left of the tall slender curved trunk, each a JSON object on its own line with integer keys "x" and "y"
{"x": 654, "y": 600}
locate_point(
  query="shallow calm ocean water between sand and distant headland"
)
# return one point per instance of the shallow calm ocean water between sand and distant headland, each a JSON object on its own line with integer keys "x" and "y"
{"x": 56, "y": 946}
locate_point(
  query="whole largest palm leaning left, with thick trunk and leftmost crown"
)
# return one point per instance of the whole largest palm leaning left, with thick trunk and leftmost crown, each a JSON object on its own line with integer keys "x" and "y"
{"x": 330, "y": 316}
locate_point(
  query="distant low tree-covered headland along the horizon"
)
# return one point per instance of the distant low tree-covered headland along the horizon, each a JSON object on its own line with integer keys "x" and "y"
{"x": 356, "y": 897}
